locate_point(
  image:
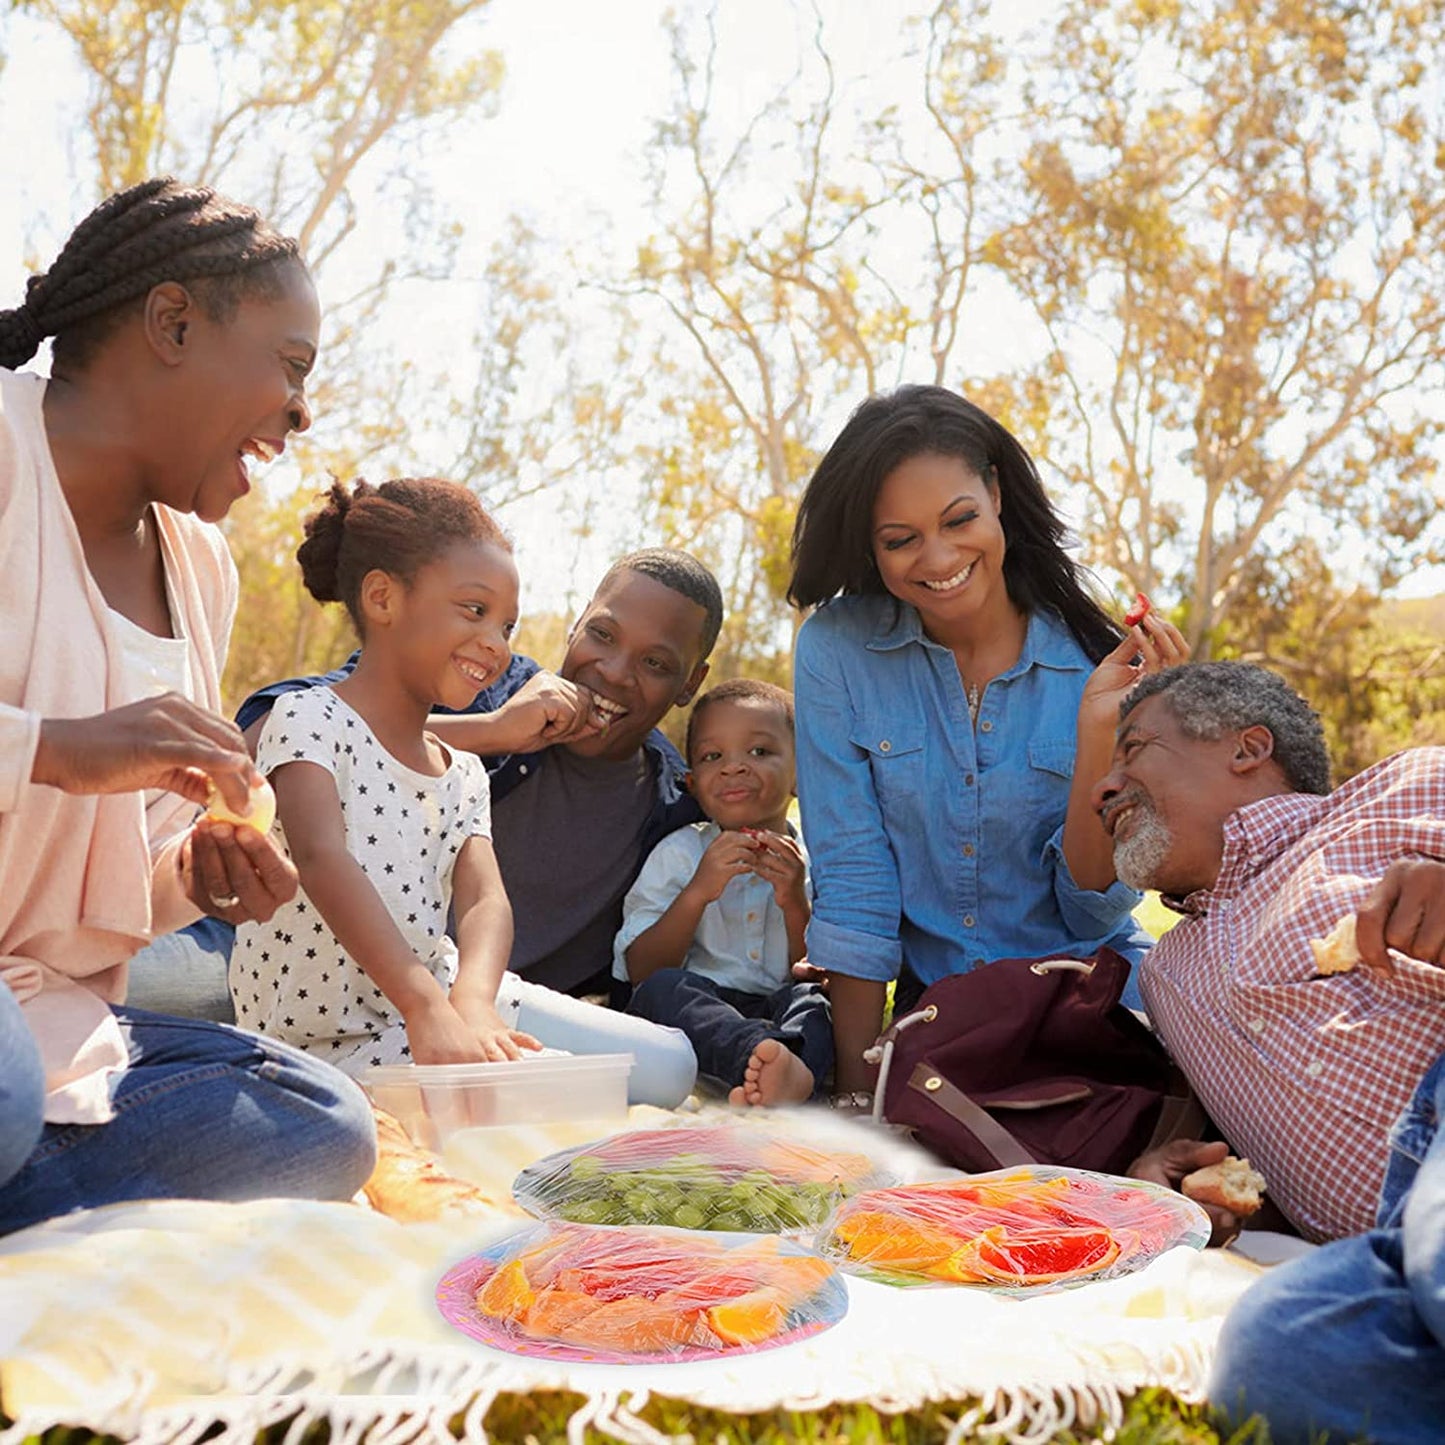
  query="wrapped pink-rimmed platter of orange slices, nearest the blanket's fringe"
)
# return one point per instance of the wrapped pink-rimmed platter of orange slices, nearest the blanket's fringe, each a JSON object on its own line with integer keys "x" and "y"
{"x": 639, "y": 1295}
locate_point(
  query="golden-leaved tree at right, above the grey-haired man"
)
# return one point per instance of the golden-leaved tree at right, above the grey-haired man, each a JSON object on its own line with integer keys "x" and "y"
{"x": 1232, "y": 232}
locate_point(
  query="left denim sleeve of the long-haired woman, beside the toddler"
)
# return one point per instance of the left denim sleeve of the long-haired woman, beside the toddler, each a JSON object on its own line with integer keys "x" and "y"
{"x": 858, "y": 904}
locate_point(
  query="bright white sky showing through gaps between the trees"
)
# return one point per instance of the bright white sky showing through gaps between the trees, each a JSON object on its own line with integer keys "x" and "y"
{"x": 586, "y": 82}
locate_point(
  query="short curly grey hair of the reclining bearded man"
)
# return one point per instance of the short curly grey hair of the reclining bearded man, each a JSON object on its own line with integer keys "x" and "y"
{"x": 1213, "y": 699}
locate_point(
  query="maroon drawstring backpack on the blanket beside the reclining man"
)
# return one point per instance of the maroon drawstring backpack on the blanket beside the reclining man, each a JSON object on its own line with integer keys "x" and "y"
{"x": 1032, "y": 1061}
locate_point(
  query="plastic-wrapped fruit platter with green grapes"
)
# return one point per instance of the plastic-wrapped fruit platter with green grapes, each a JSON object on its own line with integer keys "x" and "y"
{"x": 716, "y": 1178}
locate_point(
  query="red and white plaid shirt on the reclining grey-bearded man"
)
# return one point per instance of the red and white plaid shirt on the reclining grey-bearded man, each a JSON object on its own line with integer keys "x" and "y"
{"x": 1306, "y": 1076}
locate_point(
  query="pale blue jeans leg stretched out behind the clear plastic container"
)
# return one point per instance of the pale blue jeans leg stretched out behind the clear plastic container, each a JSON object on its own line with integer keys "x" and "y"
{"x": 664, "y": 1066}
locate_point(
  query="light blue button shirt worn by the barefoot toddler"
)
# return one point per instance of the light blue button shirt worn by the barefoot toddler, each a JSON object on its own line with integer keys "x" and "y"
{"x": 742, "y": 940}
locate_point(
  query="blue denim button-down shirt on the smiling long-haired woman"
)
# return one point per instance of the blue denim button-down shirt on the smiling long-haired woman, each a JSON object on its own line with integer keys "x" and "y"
{"x": 936, "y": 845}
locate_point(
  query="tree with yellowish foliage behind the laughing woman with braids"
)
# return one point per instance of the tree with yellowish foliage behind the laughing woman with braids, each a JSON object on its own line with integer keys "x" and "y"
{"x": 313, "y": 113}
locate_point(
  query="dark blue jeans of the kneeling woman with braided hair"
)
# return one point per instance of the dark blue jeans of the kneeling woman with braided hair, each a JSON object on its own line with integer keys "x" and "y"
{"x": 204, "y": 1112}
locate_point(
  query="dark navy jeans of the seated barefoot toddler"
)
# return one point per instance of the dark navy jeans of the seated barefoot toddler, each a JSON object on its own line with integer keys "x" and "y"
{"x": 726, "y": 1025}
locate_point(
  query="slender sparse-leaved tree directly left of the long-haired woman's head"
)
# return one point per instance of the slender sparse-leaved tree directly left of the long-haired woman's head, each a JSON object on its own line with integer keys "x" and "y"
{"x": 769, "y": 268}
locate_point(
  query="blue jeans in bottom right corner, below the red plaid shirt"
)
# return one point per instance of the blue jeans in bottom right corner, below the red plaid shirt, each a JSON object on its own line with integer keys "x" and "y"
{"x": 1352, "y": 1337}
